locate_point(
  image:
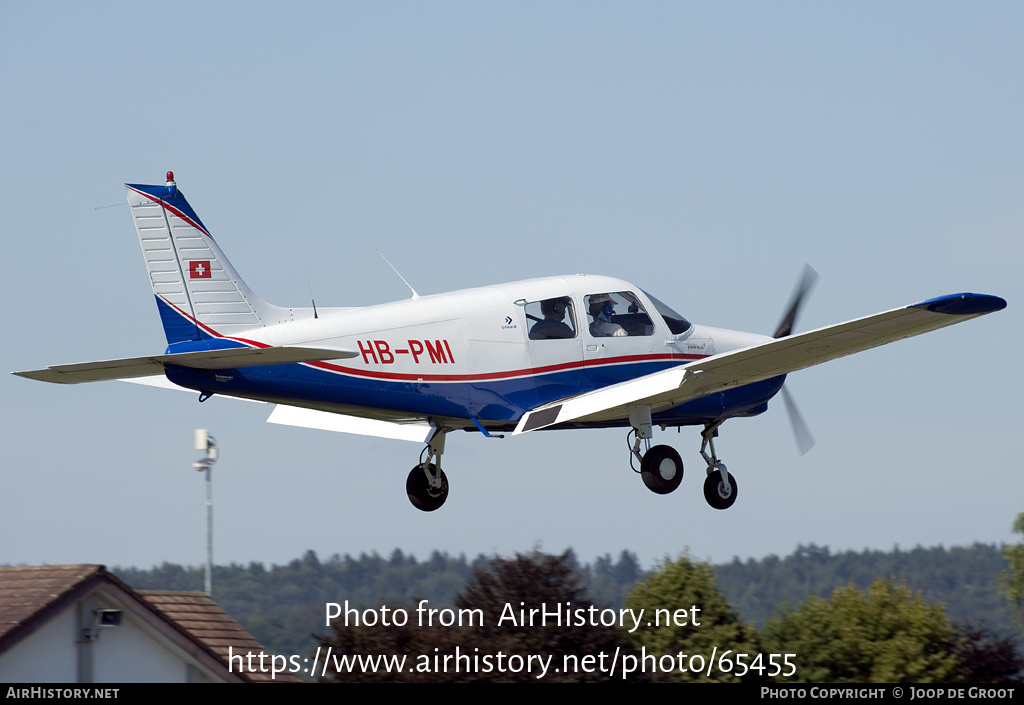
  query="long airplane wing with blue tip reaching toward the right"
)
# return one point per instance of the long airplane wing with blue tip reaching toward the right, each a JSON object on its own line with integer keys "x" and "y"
{"x": 668, "y": 389}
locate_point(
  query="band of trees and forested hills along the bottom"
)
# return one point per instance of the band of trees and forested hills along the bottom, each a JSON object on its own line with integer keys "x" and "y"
{"x": 951, "y": 600}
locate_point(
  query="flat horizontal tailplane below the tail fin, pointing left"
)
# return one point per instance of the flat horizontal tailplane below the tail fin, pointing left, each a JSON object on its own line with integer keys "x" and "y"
{"x": 232, "y": 358}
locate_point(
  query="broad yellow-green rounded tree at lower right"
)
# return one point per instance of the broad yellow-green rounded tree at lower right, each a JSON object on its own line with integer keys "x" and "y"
{"x": 885, "y": 635}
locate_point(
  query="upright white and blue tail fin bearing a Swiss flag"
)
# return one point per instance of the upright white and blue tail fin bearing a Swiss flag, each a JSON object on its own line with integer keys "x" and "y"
{"x": 199, "y": 294}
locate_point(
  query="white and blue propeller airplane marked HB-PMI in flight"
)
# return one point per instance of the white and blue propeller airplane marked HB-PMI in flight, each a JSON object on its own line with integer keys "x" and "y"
{"x": 558, "y": 353}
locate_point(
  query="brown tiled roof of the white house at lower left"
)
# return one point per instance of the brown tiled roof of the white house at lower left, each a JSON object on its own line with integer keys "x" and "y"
{"x": 32, "y": 595}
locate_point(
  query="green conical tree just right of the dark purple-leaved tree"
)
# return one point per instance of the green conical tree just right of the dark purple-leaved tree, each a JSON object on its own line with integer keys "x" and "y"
{"x": 686, "y": 613}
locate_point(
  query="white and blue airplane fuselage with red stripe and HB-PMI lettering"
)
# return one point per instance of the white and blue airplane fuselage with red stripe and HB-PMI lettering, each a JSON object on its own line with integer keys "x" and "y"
{"x": 489, "y": 355}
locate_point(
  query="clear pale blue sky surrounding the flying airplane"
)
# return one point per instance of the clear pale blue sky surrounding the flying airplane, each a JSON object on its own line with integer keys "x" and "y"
{"x": 704, "y": 152}
